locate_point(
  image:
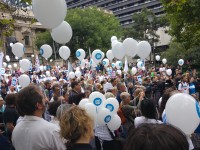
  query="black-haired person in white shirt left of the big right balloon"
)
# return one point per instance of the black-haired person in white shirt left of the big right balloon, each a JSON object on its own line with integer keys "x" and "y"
{"x": 149, "y": 113}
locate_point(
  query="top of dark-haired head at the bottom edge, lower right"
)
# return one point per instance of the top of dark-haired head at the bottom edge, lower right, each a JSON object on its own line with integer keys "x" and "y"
{"x": 156, "y": 137}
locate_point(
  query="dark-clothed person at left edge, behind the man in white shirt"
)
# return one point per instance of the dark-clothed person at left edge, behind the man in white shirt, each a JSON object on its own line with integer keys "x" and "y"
{"x": 10, "y": 114}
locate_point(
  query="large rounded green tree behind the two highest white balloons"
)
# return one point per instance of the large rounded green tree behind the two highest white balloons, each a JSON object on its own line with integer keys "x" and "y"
{"x": 92, "y": 28}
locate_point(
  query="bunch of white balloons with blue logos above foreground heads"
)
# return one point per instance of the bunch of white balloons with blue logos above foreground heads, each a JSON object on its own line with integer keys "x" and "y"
{"x": 103, "y": 112}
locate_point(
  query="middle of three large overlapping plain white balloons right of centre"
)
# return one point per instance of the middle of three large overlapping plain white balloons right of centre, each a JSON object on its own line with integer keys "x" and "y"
{"x": 130, "y": 46}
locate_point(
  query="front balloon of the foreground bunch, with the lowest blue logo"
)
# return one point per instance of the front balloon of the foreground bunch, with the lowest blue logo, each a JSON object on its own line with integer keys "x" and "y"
{"x": 103, "y": 116}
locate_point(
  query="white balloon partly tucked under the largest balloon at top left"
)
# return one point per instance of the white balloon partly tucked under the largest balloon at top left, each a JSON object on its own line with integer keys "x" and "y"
{"x": 62, "y": 34}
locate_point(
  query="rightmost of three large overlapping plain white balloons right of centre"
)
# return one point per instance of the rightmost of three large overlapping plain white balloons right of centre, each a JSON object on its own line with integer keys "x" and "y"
{"x": 143, "y": 49}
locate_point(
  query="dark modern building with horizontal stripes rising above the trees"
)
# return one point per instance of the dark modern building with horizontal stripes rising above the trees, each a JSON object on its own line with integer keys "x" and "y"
{"x": 123, "y": 9}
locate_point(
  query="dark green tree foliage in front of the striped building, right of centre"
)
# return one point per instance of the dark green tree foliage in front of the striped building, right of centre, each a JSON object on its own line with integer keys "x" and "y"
{"x": 142, "y": 28}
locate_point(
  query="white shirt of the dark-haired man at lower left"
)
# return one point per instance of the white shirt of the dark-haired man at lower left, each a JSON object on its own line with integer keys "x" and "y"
{"x": 35, "y": 133}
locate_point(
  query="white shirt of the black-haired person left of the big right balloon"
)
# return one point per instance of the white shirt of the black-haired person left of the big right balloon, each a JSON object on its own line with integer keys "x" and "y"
{"x": 140, "y": 120}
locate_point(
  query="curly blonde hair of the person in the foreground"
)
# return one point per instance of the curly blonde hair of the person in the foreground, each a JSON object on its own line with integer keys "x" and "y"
{"x": 75, "y": 123}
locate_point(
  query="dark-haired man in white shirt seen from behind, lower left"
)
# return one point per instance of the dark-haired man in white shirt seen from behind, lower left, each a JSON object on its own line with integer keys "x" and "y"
{"x": 33, "y": 132}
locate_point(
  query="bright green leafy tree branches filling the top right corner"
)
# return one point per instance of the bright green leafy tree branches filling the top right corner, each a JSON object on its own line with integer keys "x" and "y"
{"x": 184, "y": 19}
